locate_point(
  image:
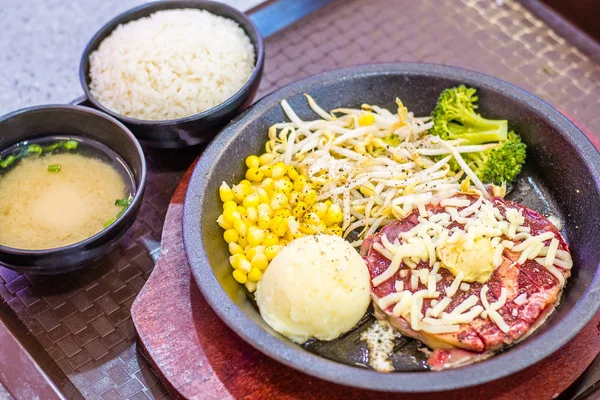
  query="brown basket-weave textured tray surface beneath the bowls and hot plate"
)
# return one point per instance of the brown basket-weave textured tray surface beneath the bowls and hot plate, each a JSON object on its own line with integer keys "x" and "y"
{"x": 82, "y": 321}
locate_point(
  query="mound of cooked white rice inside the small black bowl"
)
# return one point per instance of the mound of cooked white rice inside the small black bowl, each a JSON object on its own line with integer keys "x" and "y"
{"x": 172, "y": 64}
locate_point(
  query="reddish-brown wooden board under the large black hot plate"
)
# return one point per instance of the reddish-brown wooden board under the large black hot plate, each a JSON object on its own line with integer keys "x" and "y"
{"x": 199, "y": 357}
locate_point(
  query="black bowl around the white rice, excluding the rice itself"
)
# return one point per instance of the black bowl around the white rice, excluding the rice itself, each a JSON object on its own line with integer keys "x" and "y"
{"x": 198, "y": 128}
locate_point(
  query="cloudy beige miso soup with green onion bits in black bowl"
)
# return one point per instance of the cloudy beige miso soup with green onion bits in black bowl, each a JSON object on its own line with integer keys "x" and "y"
{"x": 58, "y": 191}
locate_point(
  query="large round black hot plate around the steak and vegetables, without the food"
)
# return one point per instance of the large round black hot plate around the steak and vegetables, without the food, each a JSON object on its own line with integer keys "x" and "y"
{"x": 562, "y": 163}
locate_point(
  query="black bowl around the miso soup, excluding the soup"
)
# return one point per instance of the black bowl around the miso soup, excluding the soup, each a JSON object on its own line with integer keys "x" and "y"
{"x": 38, "y": 122}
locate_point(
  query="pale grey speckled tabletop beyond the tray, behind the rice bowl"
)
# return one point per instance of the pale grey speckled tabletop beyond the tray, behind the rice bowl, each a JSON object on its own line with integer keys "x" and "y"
{"x": 42, "y": 41}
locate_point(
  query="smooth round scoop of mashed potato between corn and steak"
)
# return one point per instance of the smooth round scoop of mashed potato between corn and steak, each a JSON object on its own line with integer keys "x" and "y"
{"x": 316, "y": 287}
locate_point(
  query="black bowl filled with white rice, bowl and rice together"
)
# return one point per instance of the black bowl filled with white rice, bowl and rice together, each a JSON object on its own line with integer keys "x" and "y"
{"x": 174, "y": 72}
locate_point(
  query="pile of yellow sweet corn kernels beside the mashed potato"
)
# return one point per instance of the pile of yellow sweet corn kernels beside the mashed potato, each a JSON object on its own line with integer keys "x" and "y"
{"x": 268, "y": 209}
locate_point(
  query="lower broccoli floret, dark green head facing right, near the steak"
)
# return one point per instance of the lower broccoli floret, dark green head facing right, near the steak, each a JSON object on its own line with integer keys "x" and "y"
{"x": 500, "y": 164}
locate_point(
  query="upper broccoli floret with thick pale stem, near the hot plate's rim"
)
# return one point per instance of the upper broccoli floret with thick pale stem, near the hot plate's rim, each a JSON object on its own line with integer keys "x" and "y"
{"x": 454, "y": 117}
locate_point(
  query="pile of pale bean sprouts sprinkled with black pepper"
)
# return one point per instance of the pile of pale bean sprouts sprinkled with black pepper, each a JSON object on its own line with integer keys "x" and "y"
{"x": 376, "y": 165}
